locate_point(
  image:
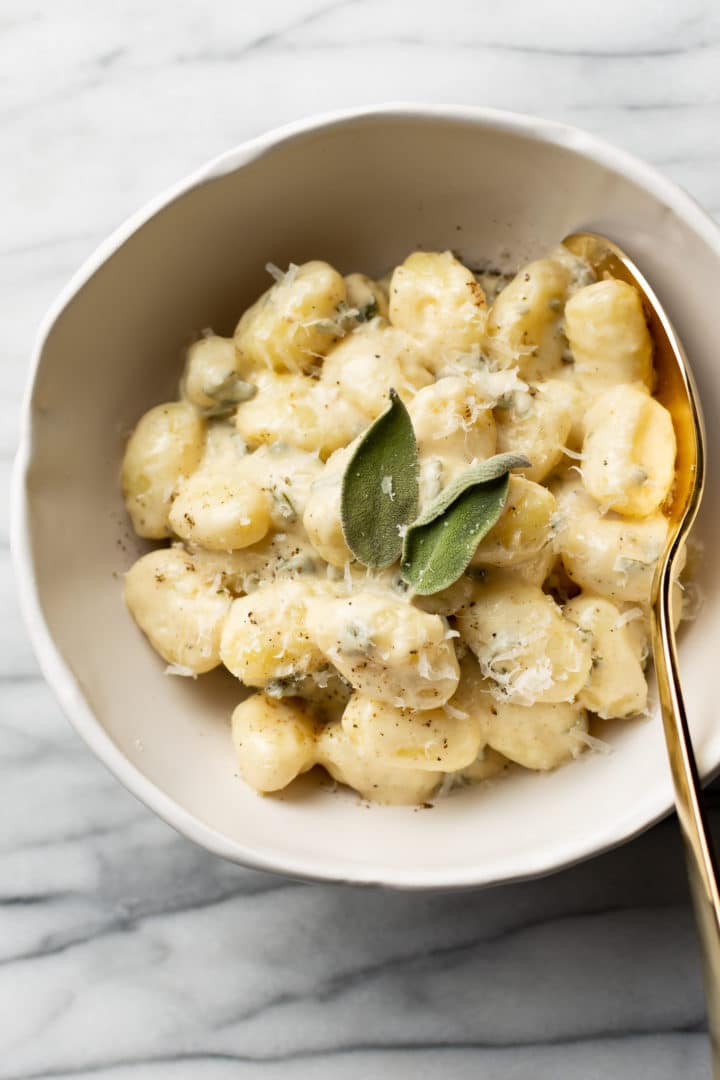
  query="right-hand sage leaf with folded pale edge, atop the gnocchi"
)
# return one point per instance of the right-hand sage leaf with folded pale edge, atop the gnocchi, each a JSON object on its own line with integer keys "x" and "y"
{"x": 441, "y": 544}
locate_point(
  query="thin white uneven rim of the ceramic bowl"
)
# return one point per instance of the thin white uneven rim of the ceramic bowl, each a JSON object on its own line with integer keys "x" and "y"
{"x": 642, "y": 815}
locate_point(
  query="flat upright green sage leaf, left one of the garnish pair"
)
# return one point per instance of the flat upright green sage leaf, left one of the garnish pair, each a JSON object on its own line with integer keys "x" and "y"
{"x": 379, "y": 493}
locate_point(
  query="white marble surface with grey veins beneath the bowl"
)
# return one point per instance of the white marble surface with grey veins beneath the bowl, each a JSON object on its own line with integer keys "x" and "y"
{"x": 125, "y": 951}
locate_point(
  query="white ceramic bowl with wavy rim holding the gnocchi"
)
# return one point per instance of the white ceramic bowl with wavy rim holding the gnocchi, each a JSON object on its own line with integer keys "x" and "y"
{"x": 360, "y": 190}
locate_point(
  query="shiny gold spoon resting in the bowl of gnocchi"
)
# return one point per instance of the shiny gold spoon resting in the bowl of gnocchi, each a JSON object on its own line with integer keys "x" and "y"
{"x": 677, "y": 391}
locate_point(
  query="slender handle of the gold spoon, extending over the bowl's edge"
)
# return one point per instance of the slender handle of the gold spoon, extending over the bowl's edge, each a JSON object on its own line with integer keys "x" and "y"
{"x": 702, "y": 868}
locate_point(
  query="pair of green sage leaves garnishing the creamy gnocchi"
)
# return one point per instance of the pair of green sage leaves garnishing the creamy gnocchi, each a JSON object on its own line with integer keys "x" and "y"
{"x": 379, "y": 506}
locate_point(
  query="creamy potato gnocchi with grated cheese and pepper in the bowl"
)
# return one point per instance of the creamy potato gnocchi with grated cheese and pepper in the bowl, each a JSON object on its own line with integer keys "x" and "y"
{"x": 398, "y": 696}
